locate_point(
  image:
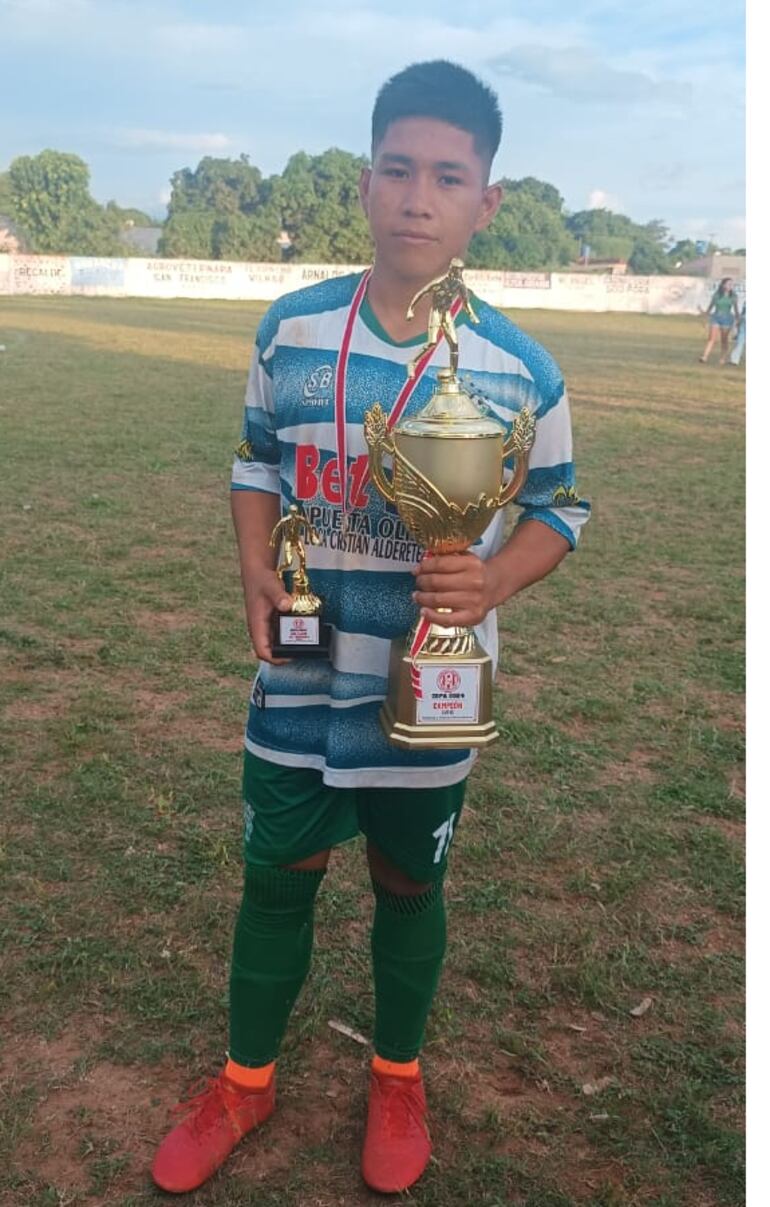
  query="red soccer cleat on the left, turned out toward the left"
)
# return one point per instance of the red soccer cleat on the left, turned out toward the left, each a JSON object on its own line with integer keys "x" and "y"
{"x": 217, "y": 1119}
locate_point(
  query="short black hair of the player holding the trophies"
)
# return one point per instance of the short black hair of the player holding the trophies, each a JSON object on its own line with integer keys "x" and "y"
{"x": 444, "y": 91}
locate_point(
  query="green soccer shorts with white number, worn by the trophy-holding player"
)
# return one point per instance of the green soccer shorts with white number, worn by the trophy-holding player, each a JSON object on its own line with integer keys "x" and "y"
{"x": 290, "y": 814}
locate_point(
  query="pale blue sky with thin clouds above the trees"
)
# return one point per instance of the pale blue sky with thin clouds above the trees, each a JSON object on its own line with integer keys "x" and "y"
{"x": 638, "y": 108}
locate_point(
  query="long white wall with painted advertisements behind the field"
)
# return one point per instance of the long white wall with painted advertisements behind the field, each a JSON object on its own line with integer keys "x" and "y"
{"x": 89, "y": 277}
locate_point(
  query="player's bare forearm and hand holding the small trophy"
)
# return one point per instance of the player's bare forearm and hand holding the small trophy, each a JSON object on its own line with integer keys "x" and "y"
{"x": 255, "y": 516}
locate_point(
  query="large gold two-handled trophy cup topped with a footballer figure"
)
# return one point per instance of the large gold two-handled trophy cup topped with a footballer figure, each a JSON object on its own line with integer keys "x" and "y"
{"x": 447, "y": 483}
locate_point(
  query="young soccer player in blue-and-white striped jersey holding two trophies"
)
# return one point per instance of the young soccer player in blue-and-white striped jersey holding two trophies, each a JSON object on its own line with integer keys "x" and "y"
{"x": 318, "y": 767}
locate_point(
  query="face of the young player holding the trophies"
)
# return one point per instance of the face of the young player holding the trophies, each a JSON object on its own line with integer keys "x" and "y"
{"x": 425, "y": 196}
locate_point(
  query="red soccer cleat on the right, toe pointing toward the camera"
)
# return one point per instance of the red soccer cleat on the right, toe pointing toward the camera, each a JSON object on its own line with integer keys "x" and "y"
{"x": 398, "y": 1146}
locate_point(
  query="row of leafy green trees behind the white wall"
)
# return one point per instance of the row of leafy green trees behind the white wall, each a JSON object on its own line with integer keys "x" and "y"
{"x": 225, "y": 209}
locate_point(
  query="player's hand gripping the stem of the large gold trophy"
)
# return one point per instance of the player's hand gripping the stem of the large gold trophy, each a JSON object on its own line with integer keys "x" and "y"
{"x": 457, "y": 581}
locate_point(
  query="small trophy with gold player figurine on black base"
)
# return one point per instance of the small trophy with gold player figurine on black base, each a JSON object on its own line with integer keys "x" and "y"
{"x": 300, "y": 633}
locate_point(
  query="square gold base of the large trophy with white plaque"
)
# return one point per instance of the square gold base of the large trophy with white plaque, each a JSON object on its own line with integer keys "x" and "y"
{"x": 457, "y": 704}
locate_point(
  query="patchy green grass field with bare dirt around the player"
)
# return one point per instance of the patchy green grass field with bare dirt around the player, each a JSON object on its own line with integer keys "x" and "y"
{"x": 600, "y": 862}
